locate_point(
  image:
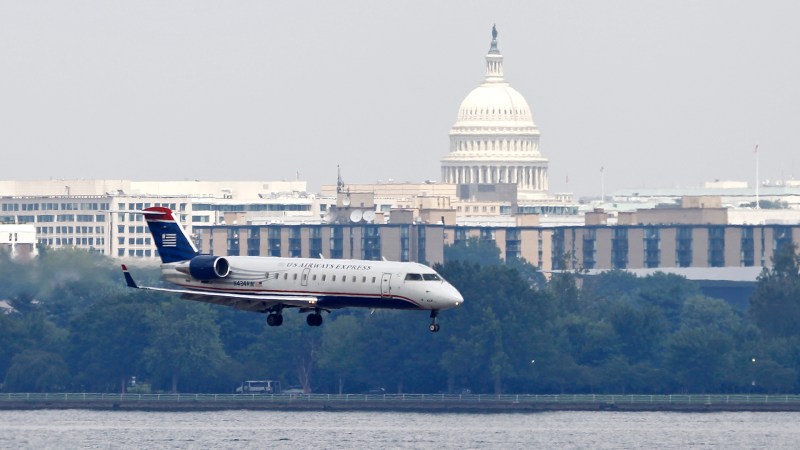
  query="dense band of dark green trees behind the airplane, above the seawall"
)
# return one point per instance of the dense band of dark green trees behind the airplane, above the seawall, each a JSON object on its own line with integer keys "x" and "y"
{"x": 76, "y": 327}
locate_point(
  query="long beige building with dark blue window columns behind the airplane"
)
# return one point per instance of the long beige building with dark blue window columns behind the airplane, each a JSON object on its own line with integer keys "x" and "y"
{"x": 664, "y": 238}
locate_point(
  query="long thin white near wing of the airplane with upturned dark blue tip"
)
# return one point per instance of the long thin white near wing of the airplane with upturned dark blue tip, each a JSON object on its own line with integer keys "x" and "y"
{"x": 248, "y": 302}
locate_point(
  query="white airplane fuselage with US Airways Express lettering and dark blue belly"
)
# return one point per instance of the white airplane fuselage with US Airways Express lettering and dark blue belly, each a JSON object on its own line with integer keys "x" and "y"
{"x": 334, "y": 283}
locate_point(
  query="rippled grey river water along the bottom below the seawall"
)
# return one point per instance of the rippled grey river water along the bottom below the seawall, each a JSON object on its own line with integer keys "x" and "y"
{"x": 240, "y": 429}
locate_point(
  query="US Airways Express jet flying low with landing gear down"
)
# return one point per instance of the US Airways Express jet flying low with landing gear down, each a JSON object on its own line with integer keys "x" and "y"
{"x": 268, "y": 285}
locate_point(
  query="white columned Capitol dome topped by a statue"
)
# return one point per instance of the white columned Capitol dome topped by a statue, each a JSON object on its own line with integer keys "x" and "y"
{"x": 494, "y": 139}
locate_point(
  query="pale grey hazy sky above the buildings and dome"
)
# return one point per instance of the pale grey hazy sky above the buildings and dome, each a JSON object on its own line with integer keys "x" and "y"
{"x": 661, "y": 94}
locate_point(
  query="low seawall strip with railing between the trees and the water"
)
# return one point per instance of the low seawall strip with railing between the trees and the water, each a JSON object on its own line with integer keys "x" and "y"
{"x": 433, "y": 403}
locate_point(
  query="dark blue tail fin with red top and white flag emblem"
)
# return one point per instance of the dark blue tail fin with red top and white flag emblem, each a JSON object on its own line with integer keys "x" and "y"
{"x": 171, "y": 240}
